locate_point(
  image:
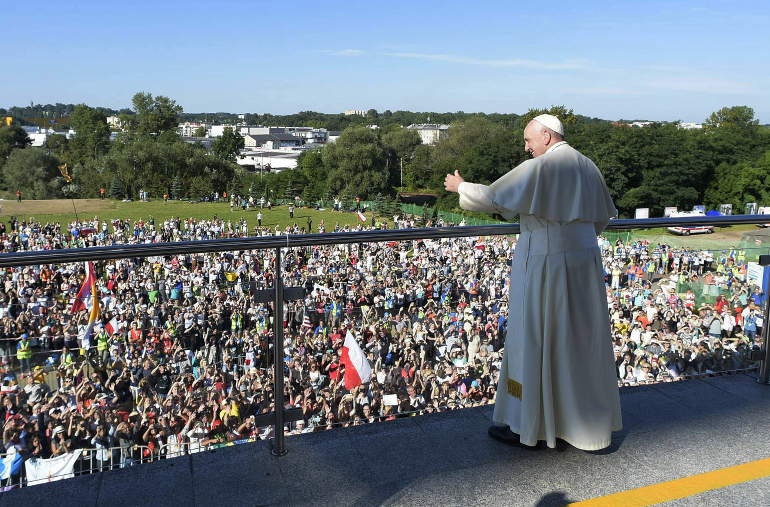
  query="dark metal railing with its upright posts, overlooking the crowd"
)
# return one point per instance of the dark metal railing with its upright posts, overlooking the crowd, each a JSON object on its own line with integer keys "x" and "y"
{"x": 289, "y": 241}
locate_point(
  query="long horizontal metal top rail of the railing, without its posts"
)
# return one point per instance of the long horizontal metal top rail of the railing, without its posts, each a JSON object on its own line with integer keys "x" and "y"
{"x": 101, "y": 253}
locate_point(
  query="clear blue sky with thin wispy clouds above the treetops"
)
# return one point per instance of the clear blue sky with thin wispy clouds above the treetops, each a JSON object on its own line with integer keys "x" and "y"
{"x": 656, "y": 60}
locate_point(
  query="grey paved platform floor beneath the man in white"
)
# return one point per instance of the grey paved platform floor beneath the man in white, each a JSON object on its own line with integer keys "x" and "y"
{"x": 671, "y": 431}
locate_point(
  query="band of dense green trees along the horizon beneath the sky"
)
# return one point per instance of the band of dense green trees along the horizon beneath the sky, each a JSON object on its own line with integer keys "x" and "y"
{"x": 728, "y": 161}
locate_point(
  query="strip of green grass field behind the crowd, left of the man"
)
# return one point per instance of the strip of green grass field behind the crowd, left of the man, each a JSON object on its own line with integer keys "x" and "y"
{"x": 64, "y": 211}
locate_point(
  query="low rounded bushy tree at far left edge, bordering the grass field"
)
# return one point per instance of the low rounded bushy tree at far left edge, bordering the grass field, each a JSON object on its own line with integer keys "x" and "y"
{"x": 34, "y": 173}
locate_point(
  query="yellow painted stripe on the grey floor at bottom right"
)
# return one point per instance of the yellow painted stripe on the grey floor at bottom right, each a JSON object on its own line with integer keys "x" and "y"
{"x": 681, "y": 488}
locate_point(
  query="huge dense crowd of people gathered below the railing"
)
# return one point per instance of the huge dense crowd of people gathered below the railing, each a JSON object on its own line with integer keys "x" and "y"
{"x": 184, "y": 358}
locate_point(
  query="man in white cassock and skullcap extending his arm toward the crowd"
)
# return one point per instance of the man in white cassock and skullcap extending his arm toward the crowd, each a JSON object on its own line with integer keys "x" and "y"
{"x": 557, "y": 378}
